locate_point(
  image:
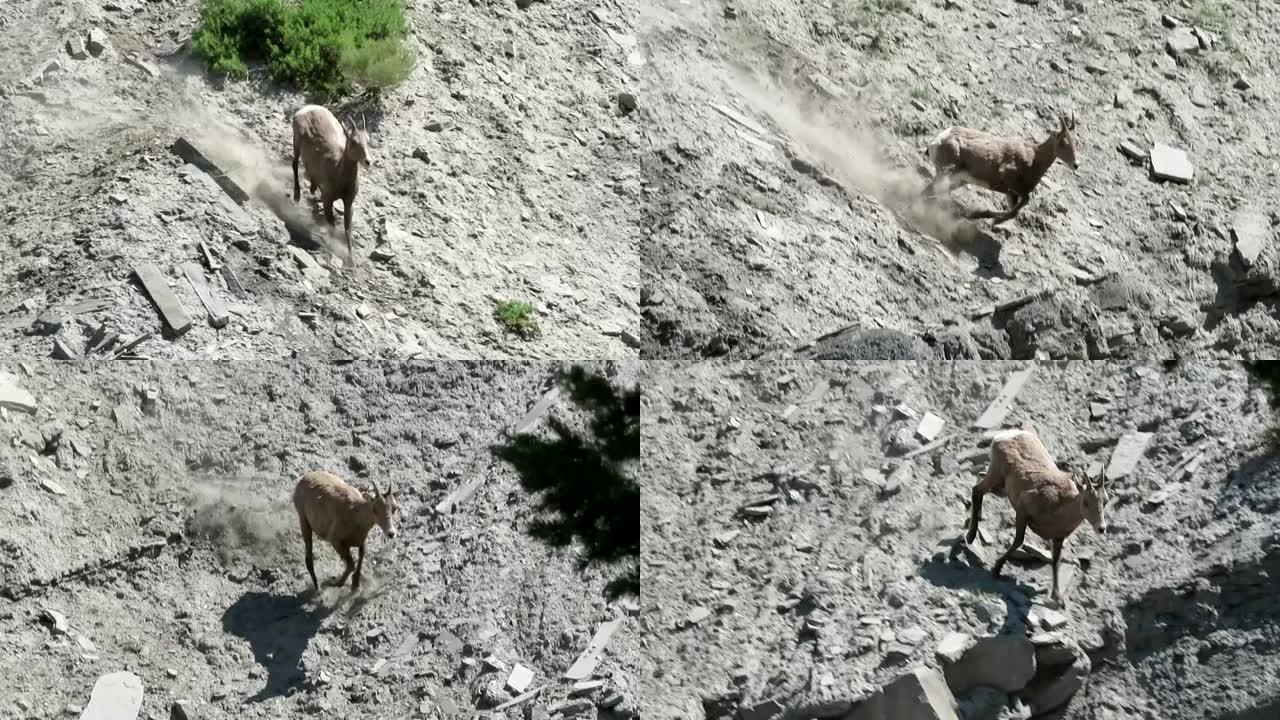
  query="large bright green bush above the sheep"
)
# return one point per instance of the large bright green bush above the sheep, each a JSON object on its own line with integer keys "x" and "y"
{"x": 326, "y": 48}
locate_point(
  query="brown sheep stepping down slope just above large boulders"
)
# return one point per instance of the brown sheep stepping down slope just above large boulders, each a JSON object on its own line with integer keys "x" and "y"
{"x": 1048, "y": 500}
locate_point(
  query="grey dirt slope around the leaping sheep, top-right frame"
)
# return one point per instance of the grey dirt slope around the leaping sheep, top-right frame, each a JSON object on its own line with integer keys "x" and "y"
{"x": 783, "y": 166}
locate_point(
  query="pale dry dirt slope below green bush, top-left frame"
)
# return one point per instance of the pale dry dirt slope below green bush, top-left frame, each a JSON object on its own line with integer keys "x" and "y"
{"x": 527, "y": 189}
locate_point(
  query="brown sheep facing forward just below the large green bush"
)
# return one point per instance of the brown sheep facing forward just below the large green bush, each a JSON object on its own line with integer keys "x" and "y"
{"x": 332, "y": 157}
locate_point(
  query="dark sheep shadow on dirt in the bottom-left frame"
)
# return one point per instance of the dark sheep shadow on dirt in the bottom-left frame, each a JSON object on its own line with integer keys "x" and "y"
{"x": 278, "y": 628}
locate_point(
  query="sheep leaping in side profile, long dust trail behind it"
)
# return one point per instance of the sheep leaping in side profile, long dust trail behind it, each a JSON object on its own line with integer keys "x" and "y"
{"x": 1012, "y": 166}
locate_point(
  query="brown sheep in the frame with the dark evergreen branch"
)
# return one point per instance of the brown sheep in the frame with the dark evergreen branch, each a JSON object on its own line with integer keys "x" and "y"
{"x": 341, "y": 516}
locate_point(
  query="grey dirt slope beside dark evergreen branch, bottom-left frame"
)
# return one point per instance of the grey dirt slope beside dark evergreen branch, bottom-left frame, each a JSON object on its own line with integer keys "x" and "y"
{"x": 168, "y": 541}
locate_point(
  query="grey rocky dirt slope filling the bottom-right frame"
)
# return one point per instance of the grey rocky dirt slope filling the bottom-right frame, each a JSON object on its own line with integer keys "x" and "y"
{"x": 1174, "y": 607}
